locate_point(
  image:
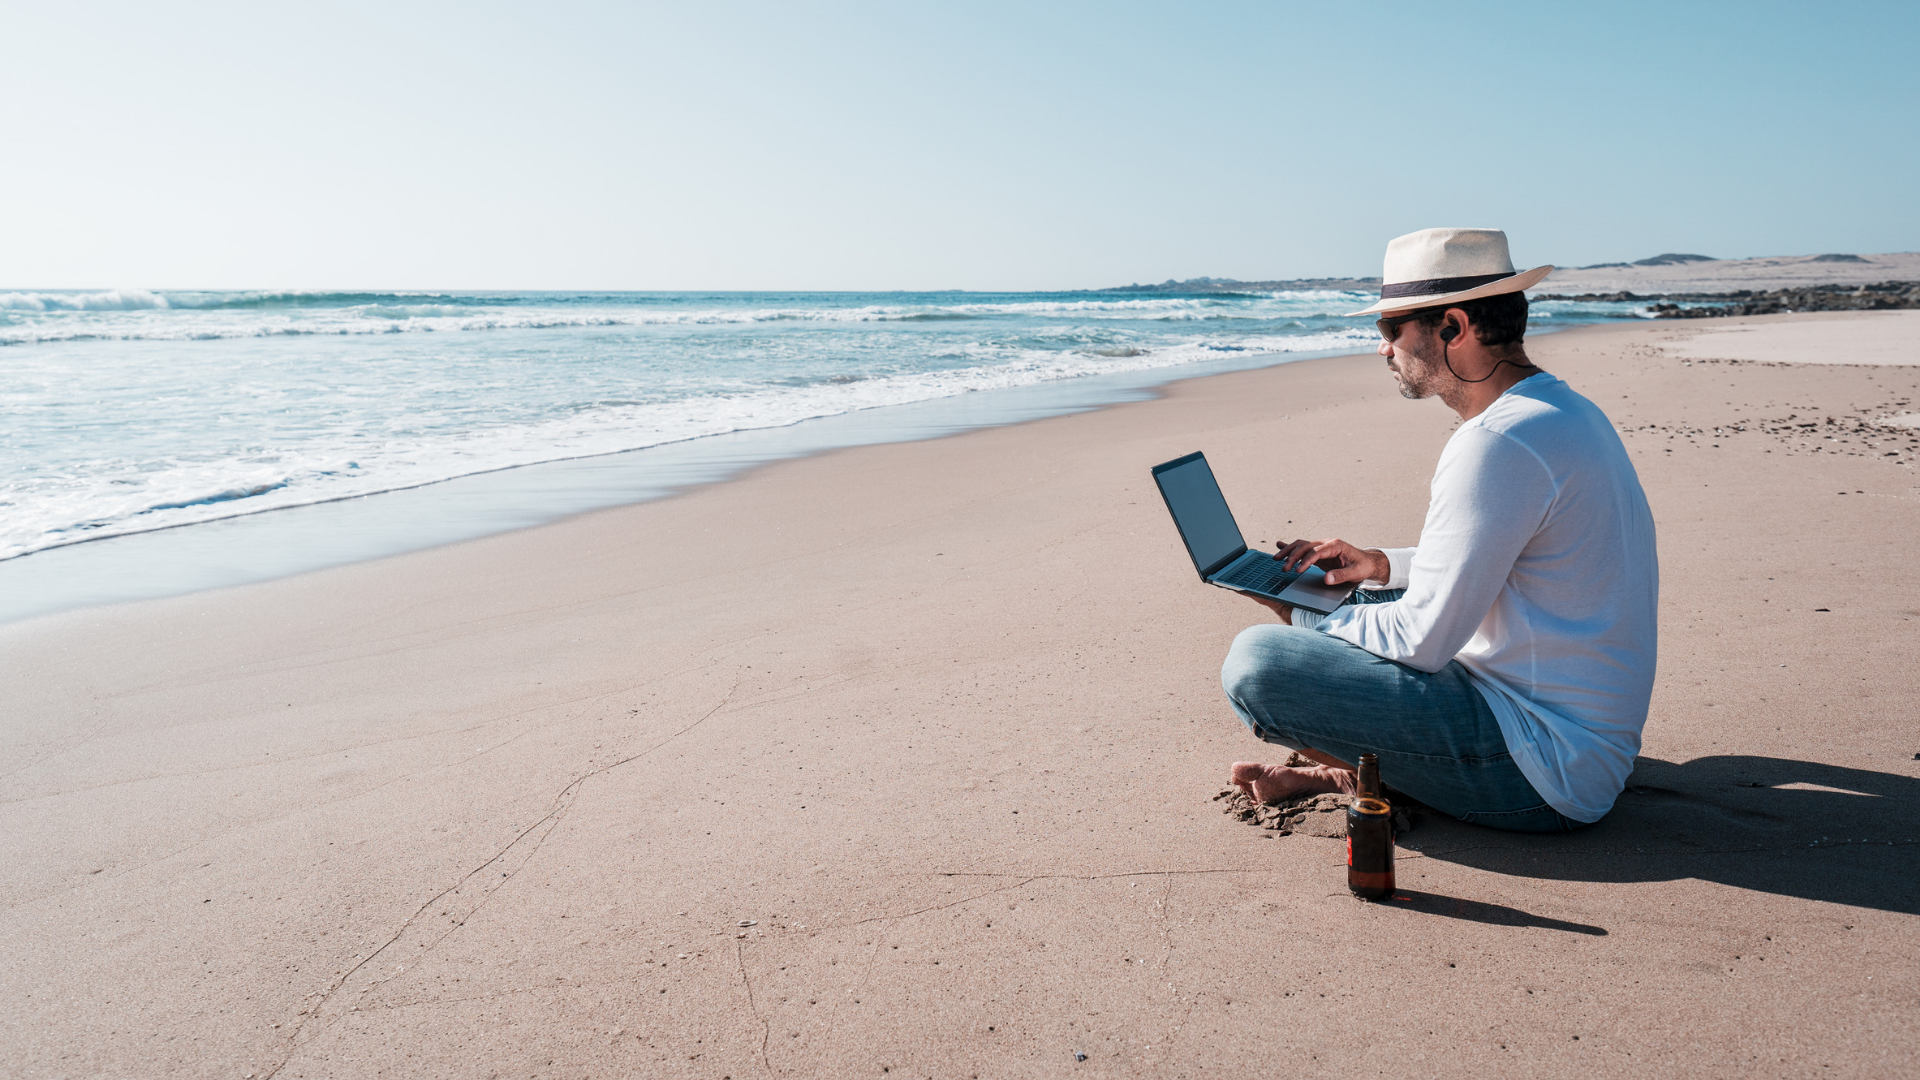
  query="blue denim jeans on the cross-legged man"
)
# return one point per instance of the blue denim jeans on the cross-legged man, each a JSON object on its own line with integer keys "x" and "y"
{"x": 1435, "y": 735}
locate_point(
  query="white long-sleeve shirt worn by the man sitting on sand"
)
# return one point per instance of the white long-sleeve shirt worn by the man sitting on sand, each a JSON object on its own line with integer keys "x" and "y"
{"x": 1537, "y": 572}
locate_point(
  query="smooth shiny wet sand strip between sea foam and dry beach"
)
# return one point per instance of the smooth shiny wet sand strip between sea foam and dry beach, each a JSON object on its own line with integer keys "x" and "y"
{"x": 276, "y": 543}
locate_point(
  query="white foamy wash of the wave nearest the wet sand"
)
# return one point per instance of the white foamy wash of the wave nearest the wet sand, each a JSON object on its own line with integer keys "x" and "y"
{"x": 114, "y": 499}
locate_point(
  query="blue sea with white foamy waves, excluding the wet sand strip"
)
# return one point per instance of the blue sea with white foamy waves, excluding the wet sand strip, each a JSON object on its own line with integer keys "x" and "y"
{"x": 352, "y": 395}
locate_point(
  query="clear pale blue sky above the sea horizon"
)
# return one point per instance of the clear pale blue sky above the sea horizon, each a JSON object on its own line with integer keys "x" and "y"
{"x": 878, "y": 147}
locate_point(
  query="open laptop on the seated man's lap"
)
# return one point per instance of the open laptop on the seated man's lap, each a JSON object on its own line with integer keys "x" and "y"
{"x": 1220, "y": 552}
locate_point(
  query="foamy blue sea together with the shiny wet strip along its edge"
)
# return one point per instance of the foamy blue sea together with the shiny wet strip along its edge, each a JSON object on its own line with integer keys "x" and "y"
{"x": 166, "y": 441}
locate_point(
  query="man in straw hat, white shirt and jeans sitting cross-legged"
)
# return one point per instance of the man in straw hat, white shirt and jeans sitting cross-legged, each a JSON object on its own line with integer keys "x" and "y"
{"x": 1502, "y": 668}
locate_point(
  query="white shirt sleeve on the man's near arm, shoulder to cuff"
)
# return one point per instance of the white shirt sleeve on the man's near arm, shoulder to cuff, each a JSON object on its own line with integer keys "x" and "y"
{"x": 1491, "y": 497}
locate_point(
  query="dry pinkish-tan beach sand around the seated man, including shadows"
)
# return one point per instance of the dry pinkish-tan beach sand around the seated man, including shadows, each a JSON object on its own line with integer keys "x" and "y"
{"x": 898, "y": 762}
